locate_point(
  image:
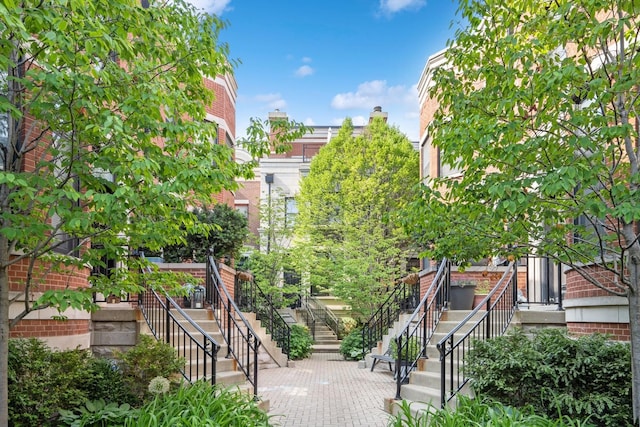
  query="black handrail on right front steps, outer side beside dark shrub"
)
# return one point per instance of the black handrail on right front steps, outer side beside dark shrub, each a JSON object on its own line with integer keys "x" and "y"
{"x": 494, "y": 322}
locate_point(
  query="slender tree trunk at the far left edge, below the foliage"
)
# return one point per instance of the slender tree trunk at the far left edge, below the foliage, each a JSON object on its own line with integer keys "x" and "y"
{"x": 4, "y": 332}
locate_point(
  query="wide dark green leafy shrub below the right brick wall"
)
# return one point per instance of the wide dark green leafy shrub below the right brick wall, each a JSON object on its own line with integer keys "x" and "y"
{"x": 588, "y": 377}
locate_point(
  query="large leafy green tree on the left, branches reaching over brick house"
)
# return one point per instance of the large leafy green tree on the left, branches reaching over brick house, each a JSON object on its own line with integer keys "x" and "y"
{"x": 105, "y": 145}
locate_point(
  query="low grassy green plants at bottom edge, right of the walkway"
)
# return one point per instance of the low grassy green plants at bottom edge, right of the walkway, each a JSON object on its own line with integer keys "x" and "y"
{"x": 476, "y": 412}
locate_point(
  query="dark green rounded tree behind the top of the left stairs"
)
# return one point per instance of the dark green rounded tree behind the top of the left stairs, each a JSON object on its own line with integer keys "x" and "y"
{"x": 226, "y": 239}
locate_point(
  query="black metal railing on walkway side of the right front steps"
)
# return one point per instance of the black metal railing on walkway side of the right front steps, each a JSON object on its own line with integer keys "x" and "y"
{"x": 412, "y": 340}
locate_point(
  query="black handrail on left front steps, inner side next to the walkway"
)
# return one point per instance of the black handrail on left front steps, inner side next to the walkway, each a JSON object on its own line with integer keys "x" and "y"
{"x": 242, "y": 341}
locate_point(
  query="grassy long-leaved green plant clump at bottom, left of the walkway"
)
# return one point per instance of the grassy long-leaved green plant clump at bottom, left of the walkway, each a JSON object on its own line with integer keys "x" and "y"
{"x": 200, "y": 405}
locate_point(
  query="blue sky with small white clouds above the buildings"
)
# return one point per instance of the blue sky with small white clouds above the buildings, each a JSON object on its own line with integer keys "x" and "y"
{"x": 321, "y": 61}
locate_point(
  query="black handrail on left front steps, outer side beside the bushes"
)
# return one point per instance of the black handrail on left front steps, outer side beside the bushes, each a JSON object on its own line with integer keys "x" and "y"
{"x": 200, "y": 352}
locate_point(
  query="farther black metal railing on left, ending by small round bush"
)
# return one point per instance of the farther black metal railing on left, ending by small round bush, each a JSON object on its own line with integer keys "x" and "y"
{"x": 250, "y": 298}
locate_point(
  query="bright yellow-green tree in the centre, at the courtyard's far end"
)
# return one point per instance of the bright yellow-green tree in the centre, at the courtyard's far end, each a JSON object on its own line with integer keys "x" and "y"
{"x": 348, "y": 226}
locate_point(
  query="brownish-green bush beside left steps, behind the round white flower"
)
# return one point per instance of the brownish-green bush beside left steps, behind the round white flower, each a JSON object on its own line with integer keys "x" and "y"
{"x": 148, "y": 359}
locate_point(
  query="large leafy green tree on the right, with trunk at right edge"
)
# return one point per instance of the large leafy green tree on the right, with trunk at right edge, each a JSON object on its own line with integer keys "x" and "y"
{"x": 539, "y": 108}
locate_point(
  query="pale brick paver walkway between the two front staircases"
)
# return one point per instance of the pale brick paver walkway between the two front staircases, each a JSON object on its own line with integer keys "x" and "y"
{"x": 326, "y": 391}
